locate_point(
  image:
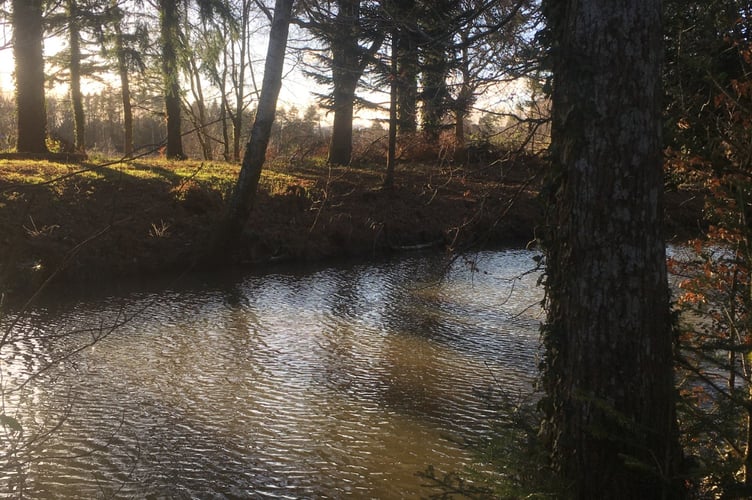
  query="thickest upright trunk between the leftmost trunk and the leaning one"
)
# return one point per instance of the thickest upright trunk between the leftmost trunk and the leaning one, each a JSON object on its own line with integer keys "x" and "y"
{"x": 170, "y": 39}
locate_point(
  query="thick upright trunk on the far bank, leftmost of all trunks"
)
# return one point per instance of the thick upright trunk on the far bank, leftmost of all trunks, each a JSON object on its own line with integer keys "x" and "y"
{"x": 27, "y": 50}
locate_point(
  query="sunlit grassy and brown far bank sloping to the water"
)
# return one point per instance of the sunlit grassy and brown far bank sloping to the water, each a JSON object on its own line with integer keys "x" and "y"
{"x": 80, "y": 223}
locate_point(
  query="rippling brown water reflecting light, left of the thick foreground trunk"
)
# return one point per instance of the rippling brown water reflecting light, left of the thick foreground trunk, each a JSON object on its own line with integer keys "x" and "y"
{"x": 319, "y": 383}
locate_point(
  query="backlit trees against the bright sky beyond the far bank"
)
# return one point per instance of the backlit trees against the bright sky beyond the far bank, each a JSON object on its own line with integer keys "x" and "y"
{"x": 173, "y": 67}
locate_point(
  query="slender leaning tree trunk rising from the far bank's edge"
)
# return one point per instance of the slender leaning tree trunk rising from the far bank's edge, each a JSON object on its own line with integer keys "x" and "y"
{"x": 244, "y": 194}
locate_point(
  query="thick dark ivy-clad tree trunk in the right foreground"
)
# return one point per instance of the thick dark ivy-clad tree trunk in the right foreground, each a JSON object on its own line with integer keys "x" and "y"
{"x": 608, "y": 362}
